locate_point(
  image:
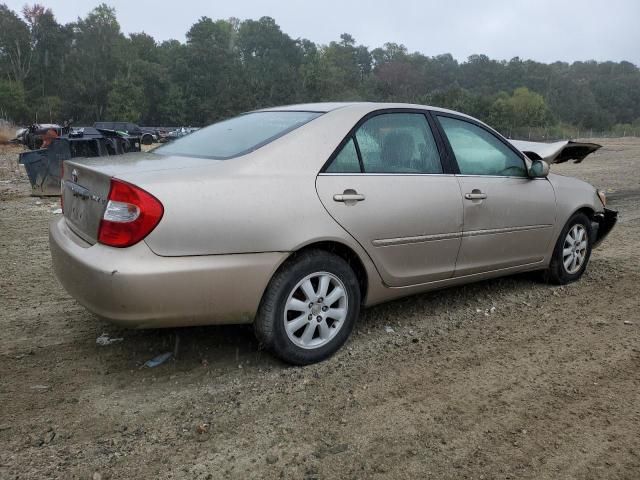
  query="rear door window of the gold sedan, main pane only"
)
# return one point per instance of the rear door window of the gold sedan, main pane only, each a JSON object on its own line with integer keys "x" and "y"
{"x": 398, "y": 143}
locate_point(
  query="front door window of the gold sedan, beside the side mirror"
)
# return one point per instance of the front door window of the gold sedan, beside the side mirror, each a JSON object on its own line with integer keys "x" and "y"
{"x": 478, "y": 152}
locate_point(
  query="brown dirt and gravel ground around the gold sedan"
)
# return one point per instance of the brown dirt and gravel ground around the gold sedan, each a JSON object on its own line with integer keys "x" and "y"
{"x": 546, "y": 386}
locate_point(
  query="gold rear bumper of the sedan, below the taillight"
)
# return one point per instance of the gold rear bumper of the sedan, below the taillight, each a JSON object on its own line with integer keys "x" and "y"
{"x": 136, "y": 288}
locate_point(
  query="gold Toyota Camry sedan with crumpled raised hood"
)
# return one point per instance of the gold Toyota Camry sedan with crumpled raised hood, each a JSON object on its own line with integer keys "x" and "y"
{"x": 294, "y": 218}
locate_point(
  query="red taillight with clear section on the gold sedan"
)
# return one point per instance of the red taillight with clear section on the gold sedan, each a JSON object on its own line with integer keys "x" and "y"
{"x": 131, "y": 215}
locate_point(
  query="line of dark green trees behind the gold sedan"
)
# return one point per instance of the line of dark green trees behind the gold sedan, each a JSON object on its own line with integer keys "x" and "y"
{"x": 89, "y": 70}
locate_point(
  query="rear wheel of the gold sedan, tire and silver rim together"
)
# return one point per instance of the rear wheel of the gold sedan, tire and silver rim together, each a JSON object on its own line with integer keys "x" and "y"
{"x": 309, "y": 308}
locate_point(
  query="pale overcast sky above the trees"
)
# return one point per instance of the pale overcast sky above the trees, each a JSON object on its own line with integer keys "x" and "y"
{"x": 543, "y": 30}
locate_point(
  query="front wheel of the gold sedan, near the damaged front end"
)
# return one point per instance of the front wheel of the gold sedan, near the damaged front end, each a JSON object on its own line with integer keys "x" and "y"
{"x": 572, "y": 251}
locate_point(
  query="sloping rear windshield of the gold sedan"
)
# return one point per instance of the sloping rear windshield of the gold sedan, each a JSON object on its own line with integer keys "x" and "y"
{"x": 237, "y": 136}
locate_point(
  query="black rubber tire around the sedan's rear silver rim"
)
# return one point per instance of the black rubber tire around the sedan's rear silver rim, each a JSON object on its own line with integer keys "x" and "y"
{"x": 269, "y": 325}
